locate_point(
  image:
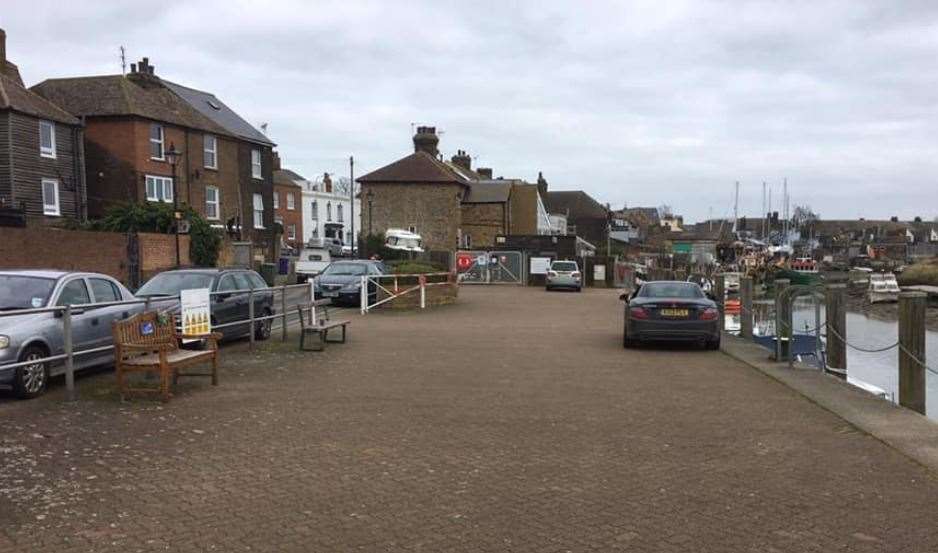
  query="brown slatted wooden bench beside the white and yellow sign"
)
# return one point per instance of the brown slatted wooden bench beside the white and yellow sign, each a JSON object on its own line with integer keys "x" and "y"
{"x": 149, "y": 343}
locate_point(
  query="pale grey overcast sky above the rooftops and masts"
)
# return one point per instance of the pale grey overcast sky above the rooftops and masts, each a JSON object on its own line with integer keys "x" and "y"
{"x": 638, "y": 103}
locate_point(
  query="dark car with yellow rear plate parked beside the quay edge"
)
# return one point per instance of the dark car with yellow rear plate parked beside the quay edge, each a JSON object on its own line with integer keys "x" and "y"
{"x": 670, "y": 310}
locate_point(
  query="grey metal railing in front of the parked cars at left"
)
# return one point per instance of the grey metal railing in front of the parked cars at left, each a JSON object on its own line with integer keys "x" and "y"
{"x": 69, "y": 353}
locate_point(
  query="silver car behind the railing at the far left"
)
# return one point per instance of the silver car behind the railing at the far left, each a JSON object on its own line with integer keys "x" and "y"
{"x": 35, "y": 336}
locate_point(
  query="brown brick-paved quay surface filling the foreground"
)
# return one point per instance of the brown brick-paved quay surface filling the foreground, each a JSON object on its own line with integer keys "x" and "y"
{"x": 513, "y": 421}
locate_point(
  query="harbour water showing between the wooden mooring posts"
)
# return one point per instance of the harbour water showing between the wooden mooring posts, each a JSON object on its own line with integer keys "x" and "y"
{"x": 880, "y": 370}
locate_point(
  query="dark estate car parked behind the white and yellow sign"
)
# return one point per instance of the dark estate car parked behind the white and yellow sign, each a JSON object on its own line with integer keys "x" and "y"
{"x": 227, "y": 307}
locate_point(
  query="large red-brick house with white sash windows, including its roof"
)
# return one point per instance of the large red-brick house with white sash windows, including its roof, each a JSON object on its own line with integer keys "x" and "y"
{"x": 225, "y": 167}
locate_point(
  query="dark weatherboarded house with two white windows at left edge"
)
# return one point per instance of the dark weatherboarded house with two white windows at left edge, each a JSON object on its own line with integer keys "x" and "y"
{"x": 41, "y": 162}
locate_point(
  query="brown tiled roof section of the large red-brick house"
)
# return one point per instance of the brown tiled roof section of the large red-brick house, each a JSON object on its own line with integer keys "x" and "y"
{"x": 110, "y": 95}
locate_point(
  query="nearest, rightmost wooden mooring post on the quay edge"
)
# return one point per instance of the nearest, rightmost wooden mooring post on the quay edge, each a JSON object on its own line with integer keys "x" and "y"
{"x": 912, "y": 350}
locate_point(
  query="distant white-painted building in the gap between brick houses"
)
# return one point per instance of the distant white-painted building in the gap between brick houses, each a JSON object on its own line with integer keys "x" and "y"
{"x": 327, "y": 211}
